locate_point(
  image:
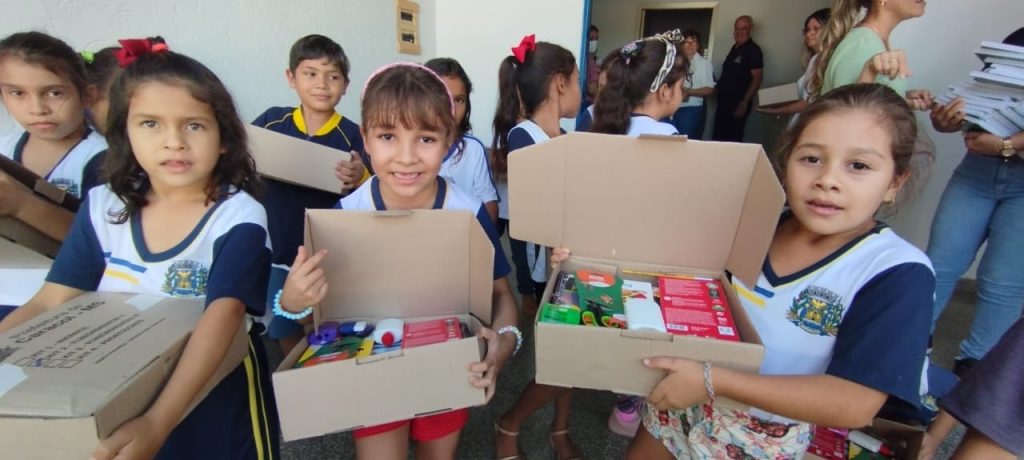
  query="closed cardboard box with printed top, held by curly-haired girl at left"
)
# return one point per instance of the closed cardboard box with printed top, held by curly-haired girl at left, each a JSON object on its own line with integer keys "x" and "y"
{"x": 71, "y": 377}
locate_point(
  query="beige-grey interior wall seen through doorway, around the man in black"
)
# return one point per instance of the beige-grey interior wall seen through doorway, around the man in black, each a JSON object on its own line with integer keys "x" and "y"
{"x": 778, "y": 31}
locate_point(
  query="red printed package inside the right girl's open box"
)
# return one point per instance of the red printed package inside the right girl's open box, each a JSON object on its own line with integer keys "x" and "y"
{"x": 697, "y": 308}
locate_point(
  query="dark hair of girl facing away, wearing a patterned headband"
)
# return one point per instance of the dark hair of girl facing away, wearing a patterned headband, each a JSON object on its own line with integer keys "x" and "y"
{"x": 628, "y": 83}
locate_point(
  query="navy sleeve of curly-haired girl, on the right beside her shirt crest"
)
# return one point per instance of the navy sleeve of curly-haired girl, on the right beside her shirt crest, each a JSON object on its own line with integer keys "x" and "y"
{"x": 241, "y": 268}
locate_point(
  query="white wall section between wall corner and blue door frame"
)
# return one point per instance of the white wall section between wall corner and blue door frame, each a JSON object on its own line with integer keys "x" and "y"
{"x": 481, "y": 33}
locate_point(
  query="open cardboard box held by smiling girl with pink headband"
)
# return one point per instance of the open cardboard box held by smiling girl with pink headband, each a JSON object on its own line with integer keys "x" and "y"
{"x": 412, "y": 265}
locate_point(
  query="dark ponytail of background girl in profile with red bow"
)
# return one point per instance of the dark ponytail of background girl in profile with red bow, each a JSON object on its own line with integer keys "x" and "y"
{"x": 522, "y": 89}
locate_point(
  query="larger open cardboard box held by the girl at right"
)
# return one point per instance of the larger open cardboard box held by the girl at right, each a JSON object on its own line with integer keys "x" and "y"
{"x": 650, "y": 204}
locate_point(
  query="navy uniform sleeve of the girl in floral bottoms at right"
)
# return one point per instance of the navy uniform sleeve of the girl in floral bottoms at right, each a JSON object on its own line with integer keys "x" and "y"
{"x": 883, "y": 339}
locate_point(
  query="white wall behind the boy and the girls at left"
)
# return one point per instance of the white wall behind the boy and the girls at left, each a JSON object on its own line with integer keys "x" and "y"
{"x": 245, "y": 44}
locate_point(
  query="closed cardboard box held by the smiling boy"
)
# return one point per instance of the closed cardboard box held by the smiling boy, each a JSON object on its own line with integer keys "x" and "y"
{"x": 277, "y": 155}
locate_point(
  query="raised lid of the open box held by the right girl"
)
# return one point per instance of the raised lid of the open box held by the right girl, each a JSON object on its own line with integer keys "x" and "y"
{"x": 685, "y": 207}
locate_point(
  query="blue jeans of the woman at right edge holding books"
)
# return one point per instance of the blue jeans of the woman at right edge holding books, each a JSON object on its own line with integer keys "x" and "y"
{"x": 985, "y": 201}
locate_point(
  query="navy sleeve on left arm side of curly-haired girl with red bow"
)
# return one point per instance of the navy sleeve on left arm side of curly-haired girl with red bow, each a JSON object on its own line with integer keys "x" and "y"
{"x": 80, "y": 263}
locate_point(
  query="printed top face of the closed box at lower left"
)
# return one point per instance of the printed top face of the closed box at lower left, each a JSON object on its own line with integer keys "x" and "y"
{"x": 38, "y": 384}
